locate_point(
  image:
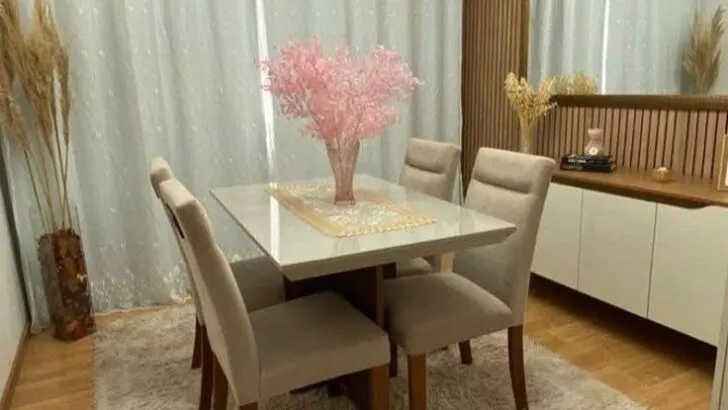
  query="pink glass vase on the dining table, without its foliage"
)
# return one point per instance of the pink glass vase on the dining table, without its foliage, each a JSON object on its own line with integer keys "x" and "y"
{"x": 343, "y": 154}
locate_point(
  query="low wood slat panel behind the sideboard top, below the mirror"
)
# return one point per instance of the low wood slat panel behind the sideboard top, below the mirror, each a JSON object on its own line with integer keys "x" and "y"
{"x": 685, "y": 141}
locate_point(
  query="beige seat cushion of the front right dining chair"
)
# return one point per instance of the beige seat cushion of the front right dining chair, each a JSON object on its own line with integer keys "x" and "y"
{"x": 426, "y": 312}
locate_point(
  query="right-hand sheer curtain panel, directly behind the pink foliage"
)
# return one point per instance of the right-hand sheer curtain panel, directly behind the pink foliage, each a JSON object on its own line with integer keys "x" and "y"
{"x": 428, "y": 35}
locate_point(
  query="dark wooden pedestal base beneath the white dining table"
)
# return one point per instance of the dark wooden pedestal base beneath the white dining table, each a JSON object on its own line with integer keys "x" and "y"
{"x": 364, "y": 289}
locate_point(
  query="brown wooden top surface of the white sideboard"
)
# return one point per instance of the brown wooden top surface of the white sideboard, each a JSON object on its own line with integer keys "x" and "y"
{"x": 686, "y": 192}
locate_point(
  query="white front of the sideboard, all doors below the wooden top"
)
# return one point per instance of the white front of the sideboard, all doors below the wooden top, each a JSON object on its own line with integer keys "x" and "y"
{"x": 660, "y": 262}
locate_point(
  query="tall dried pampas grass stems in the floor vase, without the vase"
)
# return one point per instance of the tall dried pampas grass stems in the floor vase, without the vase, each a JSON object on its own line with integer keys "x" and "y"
{"x": 39, "y": 61}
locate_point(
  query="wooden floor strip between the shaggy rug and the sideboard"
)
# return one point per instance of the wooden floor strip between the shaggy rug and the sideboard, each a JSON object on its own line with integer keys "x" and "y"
{"x": 653, "y": 365}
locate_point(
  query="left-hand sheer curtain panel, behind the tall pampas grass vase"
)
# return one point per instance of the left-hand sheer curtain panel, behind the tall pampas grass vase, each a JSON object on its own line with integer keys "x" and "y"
{"x": 150, "y": 77}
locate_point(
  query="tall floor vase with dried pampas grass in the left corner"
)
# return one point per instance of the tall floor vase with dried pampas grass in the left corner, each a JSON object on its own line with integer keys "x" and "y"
{"x": 39, "y": 63}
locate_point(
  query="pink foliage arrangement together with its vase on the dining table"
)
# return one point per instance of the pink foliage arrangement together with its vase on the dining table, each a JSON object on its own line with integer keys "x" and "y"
{"x": 341, "y": 99}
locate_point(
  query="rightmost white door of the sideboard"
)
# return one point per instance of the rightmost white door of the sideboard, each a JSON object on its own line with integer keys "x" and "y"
{"x": 689, "y": 270}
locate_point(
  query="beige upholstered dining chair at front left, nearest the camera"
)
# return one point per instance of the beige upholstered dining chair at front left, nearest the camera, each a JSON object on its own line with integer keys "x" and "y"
{"x": 277, "y": 349}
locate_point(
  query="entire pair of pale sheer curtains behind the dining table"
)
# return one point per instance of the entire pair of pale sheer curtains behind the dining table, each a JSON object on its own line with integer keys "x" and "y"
{"x": 178, "y": 79}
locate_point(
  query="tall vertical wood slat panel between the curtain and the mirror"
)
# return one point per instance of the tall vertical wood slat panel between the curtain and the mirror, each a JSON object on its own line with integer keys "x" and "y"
{"x": 493, "y": 39}
